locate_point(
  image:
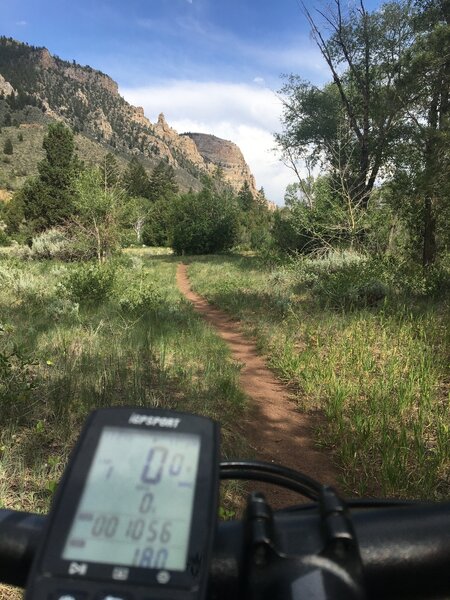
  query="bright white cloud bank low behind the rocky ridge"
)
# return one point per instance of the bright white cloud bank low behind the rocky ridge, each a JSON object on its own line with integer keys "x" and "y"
{"x": 248, "y": 115}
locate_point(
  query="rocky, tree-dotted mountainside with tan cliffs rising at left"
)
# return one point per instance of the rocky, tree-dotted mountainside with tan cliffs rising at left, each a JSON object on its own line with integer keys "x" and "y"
{"x": 37, "y": 87}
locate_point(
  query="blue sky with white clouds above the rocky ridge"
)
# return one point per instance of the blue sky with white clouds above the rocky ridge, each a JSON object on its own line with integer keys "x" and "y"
{"x": 211, "y": 66}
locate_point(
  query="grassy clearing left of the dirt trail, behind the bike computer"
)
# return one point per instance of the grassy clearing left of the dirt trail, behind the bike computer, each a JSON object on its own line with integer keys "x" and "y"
{"x": 143, "y": 346}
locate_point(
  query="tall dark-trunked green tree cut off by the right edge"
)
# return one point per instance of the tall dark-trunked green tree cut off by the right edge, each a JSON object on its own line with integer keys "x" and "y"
{"x": 423, "y": 175}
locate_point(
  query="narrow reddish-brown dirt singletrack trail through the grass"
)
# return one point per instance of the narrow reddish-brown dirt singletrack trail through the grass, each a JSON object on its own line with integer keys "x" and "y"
{"x": 275, "y": 429}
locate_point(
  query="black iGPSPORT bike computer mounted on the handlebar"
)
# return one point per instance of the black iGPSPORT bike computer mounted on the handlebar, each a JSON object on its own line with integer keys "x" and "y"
{"x": 134, "y": 515}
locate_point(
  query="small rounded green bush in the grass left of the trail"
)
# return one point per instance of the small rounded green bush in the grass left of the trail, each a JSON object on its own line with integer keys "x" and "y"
{"x": 89, "y": 283}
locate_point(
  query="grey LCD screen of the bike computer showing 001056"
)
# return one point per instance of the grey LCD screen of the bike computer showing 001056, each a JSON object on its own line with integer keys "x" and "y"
{"x": 136, "y": 506}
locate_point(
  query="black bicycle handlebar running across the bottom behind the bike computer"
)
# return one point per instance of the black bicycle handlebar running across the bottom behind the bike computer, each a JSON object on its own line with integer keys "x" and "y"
{"x": 405, "y": 550}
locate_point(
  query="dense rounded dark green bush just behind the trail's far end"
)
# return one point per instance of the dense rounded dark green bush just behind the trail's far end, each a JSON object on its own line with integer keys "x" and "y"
{"x": 204, "y": 223}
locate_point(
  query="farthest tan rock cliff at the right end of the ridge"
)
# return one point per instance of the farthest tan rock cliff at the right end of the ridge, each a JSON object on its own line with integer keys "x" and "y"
{"x": 226, "y": 155}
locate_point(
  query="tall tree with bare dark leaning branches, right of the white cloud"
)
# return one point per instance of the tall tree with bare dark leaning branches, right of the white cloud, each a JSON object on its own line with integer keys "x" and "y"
{"x": 354, "y": 121}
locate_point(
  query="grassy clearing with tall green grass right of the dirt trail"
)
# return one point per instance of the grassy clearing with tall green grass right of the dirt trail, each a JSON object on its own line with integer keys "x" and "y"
{"x": 379, "y": 373}
